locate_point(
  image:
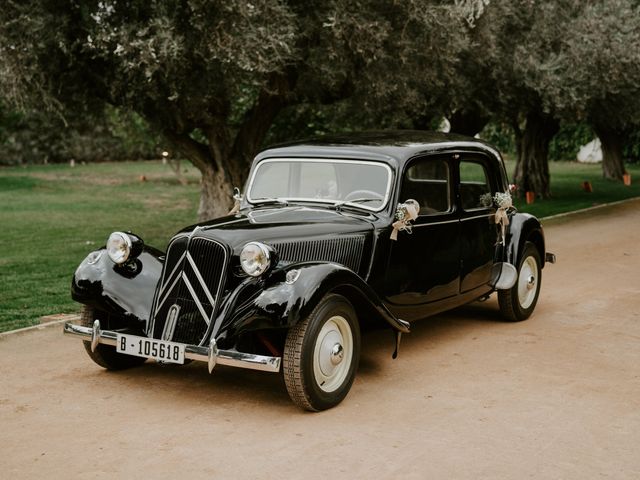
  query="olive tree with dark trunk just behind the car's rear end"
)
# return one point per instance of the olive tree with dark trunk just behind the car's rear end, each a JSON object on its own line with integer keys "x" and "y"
{"x": 507, "y": 42}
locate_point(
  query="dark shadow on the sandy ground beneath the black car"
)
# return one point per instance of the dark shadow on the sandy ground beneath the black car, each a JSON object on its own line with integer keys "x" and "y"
{"x": 228, "y": 386}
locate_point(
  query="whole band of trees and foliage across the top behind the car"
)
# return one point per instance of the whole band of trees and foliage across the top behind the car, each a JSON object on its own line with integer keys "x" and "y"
{"x": 214, "y": 76}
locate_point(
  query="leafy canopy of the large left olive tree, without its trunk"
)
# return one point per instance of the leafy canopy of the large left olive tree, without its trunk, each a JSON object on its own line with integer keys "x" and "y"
{"x": 203, "y": 64}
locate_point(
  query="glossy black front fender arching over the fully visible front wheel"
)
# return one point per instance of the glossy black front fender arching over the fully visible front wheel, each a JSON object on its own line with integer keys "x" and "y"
{"x": 282, "y": 304}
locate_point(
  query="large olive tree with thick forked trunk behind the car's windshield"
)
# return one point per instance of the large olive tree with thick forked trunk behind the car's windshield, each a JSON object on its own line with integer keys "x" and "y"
{"x": 211, "y": 75}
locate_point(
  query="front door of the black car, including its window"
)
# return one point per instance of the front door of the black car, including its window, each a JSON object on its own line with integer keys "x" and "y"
{"x": 424, "y": 266}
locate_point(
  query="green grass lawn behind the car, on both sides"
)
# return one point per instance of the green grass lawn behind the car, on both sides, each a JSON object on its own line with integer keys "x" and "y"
{"x": 53, "y": 216}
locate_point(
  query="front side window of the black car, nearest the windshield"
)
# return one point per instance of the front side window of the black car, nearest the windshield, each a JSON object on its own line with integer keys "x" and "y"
{"x": 427, "y": 181}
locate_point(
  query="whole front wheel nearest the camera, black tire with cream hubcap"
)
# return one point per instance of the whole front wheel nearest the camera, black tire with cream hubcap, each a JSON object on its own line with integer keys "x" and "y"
{"x": 316, "y": 353}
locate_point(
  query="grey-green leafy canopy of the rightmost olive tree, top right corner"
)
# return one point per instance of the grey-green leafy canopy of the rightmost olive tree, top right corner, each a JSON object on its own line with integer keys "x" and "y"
{"x": 592, "y": 68}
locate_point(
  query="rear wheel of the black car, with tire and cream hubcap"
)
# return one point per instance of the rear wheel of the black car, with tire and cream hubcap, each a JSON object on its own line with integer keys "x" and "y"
{"x": 518, "y": 303}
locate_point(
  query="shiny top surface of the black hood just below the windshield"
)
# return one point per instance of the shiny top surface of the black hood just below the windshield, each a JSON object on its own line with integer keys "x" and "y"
{"x": 283, "y": 224}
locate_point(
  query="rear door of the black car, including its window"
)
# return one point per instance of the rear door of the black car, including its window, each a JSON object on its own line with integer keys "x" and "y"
{"x": 478, "y": 231}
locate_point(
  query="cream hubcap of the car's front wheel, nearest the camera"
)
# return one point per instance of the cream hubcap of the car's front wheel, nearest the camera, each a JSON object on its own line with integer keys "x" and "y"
{"x": 332, "y": 353}
